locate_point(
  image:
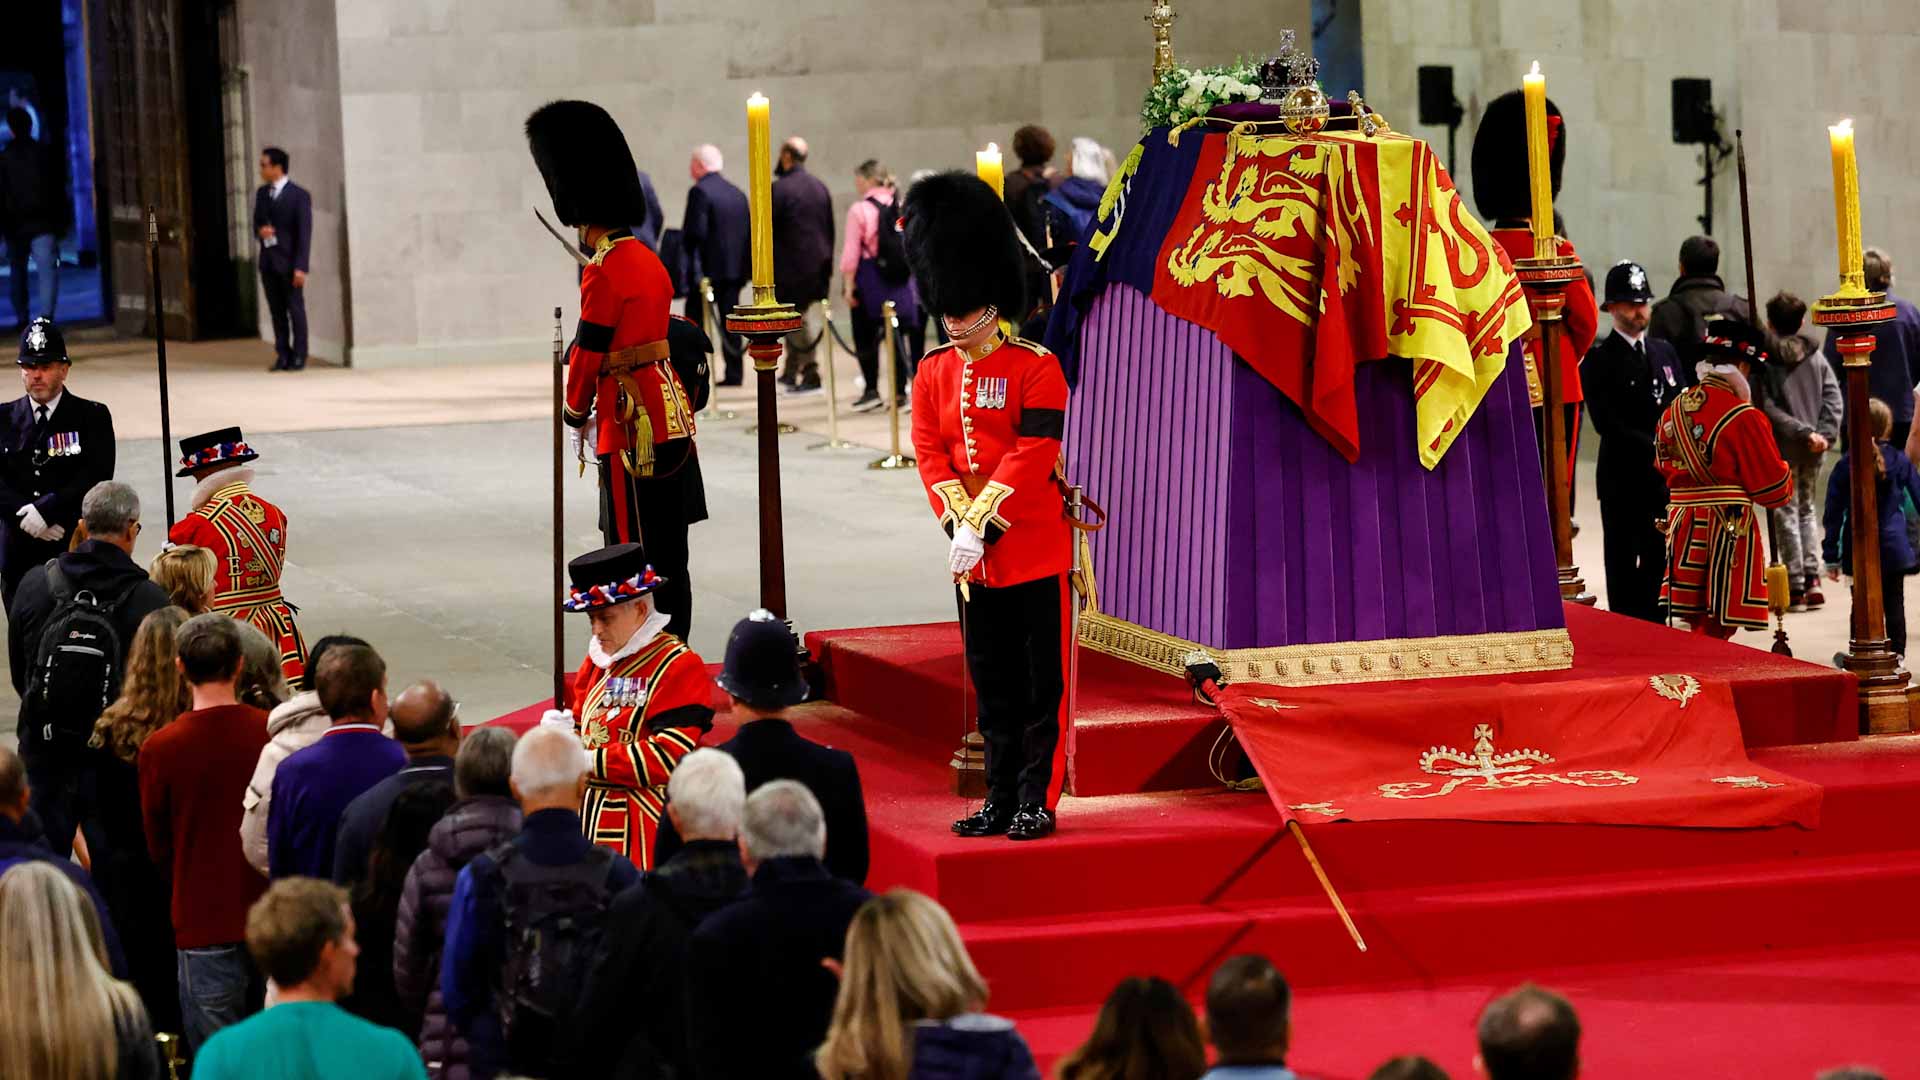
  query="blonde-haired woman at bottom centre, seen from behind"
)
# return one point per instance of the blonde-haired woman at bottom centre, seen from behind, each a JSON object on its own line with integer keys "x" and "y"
{"x": 911, "y": 1002}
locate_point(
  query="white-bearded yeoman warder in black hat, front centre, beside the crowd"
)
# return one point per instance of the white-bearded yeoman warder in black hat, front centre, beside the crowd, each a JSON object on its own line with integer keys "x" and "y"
{"x": 640, "y": 702}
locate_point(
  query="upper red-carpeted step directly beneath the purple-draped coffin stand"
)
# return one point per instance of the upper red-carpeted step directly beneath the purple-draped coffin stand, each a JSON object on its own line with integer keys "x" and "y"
{"x": 1141, "y": 731}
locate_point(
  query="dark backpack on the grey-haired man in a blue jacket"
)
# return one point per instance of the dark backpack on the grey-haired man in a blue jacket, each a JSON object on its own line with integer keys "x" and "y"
{"x": 556, "y": 923}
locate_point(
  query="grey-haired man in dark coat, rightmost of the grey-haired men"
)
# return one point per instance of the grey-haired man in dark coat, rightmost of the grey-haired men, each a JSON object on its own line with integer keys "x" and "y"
{"x": 767, "y": 954}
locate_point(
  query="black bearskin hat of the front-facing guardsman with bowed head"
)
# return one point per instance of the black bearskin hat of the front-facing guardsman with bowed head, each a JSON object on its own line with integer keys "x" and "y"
{"x": 963, "y": 247}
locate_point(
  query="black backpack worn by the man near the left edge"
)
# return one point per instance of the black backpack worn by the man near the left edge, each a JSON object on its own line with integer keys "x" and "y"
{"x": 80, "y": 662}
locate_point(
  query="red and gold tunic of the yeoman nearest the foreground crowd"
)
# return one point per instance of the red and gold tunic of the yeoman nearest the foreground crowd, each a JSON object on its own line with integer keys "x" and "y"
{"x": 638, "y": 720}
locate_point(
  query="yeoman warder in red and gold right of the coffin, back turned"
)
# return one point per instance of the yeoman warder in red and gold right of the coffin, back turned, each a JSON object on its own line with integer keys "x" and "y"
{"x": 1719, "y": 458}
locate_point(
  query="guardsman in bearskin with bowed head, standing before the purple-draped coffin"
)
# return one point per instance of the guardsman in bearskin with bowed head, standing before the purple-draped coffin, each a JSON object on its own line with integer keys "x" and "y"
{"x": 990, "y": 412}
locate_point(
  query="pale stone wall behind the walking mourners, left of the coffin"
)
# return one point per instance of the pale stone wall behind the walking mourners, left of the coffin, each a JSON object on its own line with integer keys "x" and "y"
{"x": 446, "y": 257}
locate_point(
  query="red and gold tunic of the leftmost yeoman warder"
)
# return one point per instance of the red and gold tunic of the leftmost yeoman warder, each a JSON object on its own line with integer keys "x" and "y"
{"x": 249, "y": 541}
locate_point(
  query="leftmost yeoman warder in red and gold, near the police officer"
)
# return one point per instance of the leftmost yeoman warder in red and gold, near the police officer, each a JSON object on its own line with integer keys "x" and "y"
{"x": 247, "y": 537}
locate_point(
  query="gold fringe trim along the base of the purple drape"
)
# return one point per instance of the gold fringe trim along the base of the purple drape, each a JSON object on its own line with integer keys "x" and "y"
{"x": 1337, "y": 662}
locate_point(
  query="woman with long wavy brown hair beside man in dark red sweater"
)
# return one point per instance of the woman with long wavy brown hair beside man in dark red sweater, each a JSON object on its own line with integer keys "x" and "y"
{"x": 135, "y": 893}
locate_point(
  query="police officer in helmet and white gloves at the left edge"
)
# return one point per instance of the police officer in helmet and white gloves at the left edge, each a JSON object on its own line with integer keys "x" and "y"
{"x": 53, "y": 449}
